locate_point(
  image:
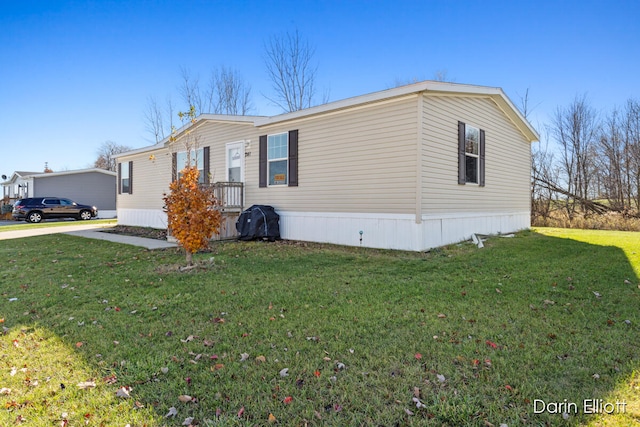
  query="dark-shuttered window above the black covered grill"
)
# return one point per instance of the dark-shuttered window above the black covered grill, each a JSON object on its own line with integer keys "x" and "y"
{"x": 279, "y": 159}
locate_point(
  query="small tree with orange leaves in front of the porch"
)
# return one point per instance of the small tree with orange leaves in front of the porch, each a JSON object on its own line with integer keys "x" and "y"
{"x": 191, "y": 208}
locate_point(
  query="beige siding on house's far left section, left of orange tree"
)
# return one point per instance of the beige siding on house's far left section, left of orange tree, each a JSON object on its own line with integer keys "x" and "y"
{"x": 150, "y": 179}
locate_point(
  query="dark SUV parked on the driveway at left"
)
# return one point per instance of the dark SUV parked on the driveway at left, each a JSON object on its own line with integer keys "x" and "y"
{"x": 36, "y": 209}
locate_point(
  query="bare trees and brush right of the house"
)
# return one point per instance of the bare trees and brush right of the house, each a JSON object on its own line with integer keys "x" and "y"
{"x": 592, "y": 165}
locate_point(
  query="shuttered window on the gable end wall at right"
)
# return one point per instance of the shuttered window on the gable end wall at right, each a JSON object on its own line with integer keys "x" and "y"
{"x": 471, "y": 158}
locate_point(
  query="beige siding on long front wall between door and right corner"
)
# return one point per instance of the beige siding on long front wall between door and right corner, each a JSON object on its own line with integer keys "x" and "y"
{"x": 360, "y": 160}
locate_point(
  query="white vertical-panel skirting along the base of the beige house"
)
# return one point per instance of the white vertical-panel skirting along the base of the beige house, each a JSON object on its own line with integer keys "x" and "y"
{"x": 386, "y": 231}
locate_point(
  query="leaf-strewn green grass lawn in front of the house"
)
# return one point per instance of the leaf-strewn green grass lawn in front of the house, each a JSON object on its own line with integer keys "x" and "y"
{"x": 101, "y": 334}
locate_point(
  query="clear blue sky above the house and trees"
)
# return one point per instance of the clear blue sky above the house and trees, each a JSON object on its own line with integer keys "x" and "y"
{"x": 74, "y": 74}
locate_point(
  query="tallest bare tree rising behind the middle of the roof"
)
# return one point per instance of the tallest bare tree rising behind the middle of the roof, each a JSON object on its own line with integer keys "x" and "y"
{"x": 289, "y": 62}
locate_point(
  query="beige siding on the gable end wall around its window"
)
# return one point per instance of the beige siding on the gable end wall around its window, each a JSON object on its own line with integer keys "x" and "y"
{"x": 508, "y": 158}
